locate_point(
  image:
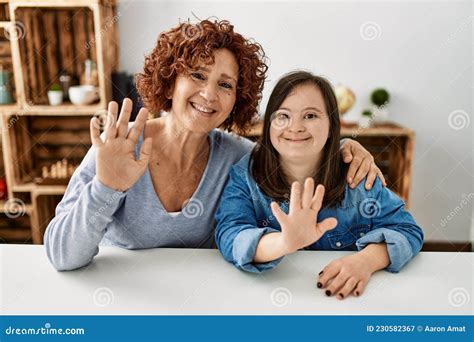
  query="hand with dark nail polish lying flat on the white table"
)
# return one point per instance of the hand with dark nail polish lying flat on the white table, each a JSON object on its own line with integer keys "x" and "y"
{"x": 345, "y": 276}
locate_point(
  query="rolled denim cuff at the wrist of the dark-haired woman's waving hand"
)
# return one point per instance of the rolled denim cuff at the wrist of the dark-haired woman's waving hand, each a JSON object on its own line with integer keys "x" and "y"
{"x": 244, "y": 248}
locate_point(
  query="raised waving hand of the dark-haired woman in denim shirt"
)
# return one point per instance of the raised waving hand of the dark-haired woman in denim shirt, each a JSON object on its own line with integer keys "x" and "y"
{"x": 299, "y": 228}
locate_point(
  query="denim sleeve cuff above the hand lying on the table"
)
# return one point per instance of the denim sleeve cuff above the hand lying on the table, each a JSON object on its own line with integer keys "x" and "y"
{"x": 398, "y": 247}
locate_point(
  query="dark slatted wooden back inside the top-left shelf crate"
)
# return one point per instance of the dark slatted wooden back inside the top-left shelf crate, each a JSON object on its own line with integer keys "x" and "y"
{"x": 54, "y": 41}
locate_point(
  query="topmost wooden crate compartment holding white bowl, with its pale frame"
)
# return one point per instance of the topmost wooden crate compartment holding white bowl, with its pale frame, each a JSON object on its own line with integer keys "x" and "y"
{"x": 83, "y": 29}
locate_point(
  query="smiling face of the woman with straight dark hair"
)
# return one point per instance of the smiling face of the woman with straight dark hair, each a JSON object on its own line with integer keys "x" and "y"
{"x": 300, "y": 127}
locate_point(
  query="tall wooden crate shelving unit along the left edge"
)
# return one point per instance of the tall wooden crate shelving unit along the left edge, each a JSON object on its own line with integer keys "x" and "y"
{"x": 40, "y": 40}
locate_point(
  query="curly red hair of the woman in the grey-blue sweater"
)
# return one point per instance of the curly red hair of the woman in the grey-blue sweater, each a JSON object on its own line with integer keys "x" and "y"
{"x": 185, "y": 47}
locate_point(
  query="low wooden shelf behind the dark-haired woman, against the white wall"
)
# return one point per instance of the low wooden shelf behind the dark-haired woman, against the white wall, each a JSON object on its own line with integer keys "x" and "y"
{"x": 389, "y": 143}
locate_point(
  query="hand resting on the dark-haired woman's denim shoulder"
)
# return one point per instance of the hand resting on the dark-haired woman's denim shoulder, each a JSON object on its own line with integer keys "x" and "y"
{"x": 362, "y": 164}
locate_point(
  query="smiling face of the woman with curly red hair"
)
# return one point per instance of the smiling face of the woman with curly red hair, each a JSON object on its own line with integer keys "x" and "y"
{"x": 204, "y": 97}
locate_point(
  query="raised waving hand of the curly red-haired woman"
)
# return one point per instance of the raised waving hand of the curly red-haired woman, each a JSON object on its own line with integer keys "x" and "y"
{"x": 116, "y": 165}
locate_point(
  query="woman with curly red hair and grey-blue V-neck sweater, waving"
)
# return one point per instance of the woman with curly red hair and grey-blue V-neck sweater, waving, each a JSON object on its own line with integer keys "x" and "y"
{"x": 157, "y": 183}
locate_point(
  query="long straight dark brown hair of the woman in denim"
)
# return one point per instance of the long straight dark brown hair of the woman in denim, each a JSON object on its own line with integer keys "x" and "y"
{"x": 266, "y": 168}
